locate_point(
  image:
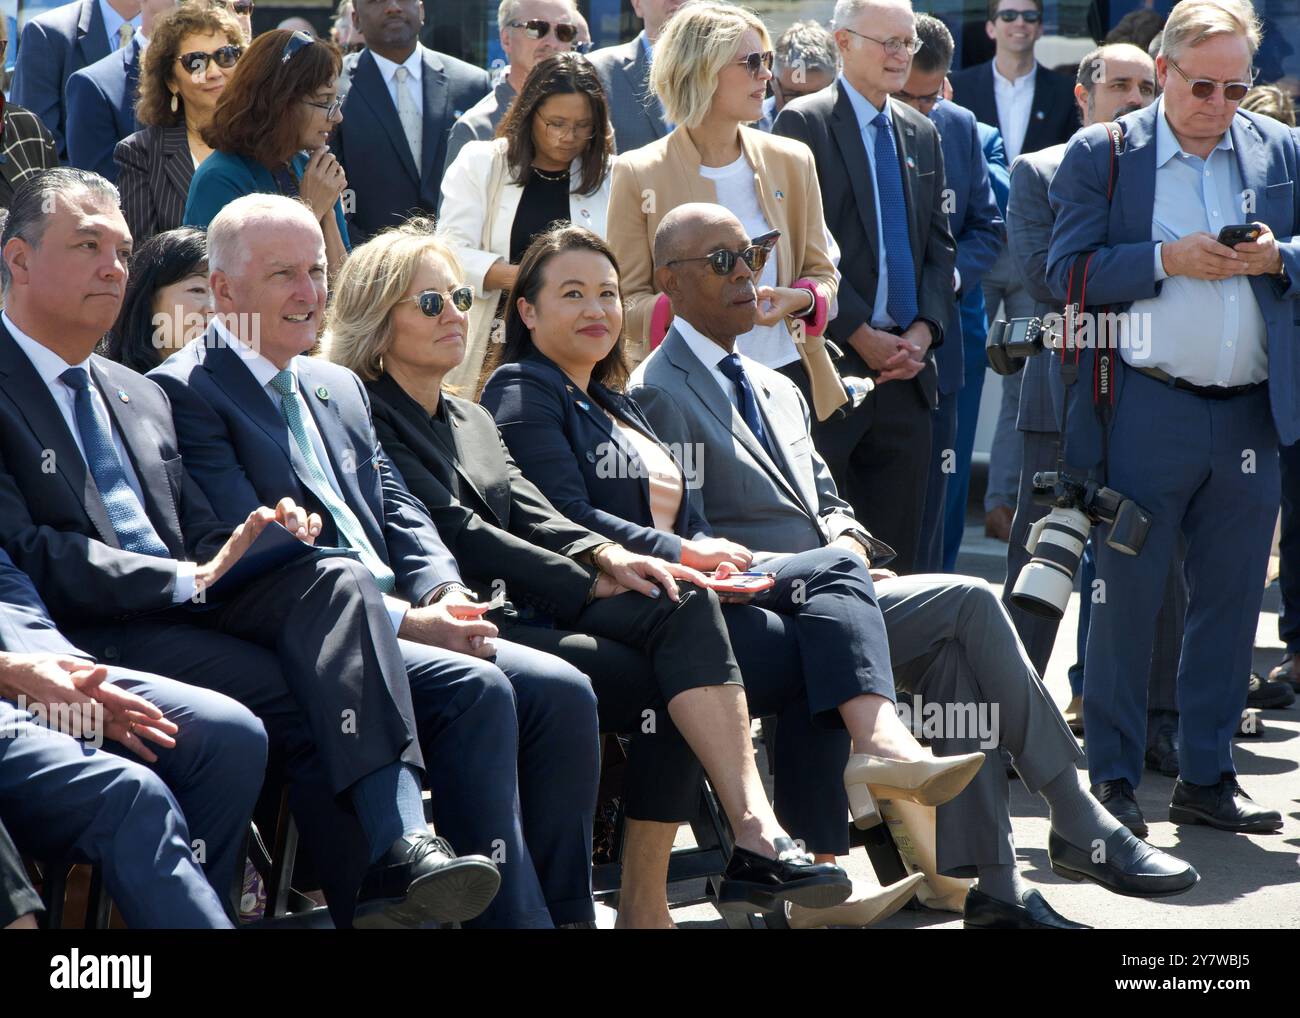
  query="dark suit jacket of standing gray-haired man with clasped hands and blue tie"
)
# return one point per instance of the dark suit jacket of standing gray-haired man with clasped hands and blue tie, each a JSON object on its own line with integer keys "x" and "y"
{"x": 827, "y": 124}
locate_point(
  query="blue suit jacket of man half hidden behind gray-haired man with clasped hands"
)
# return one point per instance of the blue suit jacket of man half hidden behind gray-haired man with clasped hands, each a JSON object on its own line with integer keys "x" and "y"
{"x": 974, "y": 222}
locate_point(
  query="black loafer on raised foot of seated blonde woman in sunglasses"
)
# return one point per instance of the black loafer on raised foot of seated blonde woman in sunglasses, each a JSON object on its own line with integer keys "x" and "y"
{"x": 766, "y": 885}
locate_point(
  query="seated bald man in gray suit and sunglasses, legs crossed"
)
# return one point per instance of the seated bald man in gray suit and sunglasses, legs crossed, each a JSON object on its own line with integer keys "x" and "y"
{"x": 950, "y": 639}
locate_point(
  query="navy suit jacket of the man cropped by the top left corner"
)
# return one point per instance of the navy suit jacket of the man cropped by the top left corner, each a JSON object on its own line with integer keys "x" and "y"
{"x": 53, "y": 47}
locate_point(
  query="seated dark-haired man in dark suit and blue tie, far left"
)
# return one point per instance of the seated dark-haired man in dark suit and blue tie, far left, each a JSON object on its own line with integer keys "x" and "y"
{"x": 99, "y": 512}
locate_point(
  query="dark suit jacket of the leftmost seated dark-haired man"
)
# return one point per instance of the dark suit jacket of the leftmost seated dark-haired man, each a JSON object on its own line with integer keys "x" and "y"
{"x": 54, "y": 523}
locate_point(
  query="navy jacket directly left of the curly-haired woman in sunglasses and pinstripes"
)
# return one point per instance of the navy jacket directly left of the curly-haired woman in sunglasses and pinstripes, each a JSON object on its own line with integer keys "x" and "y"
{"x": 102, "y": 110}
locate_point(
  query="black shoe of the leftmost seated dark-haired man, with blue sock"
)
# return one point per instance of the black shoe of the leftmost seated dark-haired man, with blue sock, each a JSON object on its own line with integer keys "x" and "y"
{"x": 419, "y": 881}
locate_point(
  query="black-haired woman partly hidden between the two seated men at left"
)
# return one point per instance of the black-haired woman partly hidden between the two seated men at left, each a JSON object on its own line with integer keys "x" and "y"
{"x": 168, "y": 301}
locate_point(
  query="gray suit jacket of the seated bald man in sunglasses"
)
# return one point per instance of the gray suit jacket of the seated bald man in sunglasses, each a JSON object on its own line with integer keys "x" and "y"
{"x": 747, "y": 496}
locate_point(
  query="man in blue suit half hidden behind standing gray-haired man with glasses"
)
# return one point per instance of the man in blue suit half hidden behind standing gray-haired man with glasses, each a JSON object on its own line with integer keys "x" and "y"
{"x": 977, "y": 226}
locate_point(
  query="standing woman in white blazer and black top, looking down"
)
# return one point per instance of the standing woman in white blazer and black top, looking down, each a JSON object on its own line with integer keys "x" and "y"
{"x": 551, "y": 162}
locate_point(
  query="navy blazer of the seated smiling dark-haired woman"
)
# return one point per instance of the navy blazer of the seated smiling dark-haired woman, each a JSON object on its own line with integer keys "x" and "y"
{"x": 566, "y": 445}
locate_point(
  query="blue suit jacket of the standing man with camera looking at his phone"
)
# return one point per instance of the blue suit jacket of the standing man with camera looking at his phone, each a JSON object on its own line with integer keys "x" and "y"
{"x": 1124, "y": 270}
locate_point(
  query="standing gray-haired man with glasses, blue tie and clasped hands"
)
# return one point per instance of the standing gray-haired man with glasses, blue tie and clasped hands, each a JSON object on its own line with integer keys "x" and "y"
{"x": 881, "y": 171}
